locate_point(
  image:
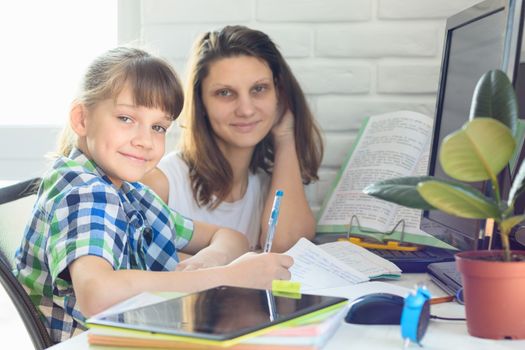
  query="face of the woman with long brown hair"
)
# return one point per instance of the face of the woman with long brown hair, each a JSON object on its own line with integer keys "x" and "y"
{"x": 240, "y": 99}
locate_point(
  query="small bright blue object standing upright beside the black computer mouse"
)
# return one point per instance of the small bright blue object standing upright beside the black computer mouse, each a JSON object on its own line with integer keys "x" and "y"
{"x": 415, "y": 316}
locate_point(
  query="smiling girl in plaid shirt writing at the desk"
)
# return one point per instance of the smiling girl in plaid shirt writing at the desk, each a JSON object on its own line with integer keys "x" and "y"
{"x": 97, "y": 236}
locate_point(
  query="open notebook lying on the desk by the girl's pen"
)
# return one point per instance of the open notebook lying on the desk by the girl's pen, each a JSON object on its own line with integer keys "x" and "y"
{"x": 336, "y": 264}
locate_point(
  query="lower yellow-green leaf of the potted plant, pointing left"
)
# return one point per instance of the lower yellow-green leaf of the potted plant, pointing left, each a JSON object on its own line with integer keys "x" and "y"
{"x": 458, "y": 199}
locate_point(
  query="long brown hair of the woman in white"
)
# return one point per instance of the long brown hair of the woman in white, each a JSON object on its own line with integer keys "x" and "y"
{"x": 210, "y": 172}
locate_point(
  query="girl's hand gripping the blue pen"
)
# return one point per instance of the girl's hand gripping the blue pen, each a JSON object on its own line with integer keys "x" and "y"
{"x": 253, "y": 270}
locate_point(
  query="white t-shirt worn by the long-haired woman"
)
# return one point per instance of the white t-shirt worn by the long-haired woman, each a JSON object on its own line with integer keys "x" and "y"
{"x": 243, "y": 215}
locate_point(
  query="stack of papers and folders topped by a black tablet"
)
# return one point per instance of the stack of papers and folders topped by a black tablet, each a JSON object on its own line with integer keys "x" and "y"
{"x": 223, "y": 317}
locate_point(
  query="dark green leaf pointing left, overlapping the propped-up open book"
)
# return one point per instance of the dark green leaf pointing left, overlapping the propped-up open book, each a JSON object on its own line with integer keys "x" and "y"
{"x": 402, "y": 191}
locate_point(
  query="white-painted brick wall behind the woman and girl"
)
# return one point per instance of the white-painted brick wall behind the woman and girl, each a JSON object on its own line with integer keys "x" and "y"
{"x": 354, "y": 58}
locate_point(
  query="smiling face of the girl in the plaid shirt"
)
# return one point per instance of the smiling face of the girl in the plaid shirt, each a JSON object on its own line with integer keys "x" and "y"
{"x": 125, "y": 140}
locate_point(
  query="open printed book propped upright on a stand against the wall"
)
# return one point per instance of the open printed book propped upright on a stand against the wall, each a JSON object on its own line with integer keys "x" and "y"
{"x": 388, "y": 145}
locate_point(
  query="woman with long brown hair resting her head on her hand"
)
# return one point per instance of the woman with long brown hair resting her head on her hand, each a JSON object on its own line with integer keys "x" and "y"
{"x": 247, "y": 131}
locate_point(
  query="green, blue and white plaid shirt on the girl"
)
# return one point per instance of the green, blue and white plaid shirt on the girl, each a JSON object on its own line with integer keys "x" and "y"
{"x": 79, "y": 212}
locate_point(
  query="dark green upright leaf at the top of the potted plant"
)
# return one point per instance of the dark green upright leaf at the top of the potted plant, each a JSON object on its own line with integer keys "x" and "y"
{"x": 494, "y": 97}
